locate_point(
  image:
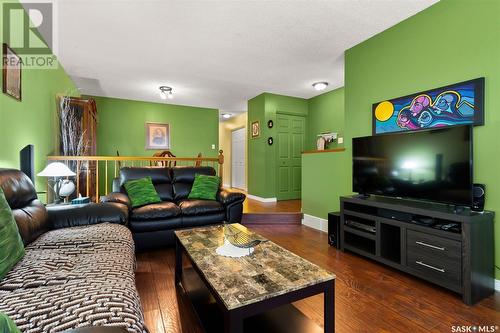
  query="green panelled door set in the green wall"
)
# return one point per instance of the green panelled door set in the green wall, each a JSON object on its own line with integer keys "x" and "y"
{"x": 291, "y": 137}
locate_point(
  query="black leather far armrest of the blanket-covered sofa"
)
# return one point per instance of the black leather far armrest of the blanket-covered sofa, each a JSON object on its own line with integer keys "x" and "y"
{"x": 65, "y": 216}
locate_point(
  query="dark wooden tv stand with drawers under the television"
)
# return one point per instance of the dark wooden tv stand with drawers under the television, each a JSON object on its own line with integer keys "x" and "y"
{"x": 453, "y": 249}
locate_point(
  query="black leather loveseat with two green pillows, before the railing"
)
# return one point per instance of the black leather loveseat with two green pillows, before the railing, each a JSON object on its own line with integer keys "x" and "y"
{"x": 153, "y": 225}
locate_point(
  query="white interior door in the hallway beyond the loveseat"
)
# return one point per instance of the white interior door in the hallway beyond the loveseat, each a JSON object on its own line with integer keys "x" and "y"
{"x": 238, "y": 142}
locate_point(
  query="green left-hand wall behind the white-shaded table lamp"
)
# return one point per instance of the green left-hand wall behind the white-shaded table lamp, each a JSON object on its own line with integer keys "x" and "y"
{"x": 34, "y": 119}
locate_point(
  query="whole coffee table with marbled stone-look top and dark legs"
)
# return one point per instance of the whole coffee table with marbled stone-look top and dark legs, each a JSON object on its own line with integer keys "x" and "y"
{"x": 252, "y": 293}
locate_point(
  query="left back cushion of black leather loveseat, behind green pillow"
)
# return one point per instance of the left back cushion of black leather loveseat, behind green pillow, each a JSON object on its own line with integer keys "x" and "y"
{"x": 160, "y": 176}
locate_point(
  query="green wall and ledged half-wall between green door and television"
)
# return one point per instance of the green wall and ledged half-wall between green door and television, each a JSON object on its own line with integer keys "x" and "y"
{"x": 320, "y": 172}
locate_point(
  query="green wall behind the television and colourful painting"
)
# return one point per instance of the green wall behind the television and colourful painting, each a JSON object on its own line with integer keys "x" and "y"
{"x": 452, "y": 41}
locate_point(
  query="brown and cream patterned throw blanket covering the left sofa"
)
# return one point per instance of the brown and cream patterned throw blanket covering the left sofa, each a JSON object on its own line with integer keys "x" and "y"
{"x": 75, "y": 277}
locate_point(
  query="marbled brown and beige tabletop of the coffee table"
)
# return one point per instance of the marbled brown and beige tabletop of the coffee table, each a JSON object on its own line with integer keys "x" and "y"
{"x": 268, "y": 272}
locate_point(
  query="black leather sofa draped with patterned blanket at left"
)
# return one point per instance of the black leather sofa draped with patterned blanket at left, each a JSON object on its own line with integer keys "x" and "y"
{"x": 73, "y": 254}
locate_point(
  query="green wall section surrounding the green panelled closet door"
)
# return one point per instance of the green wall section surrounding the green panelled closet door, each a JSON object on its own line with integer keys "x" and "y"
{"x": 261, "y": 156}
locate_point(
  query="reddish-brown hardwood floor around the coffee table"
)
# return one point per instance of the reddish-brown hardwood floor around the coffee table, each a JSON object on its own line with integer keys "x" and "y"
{"x": 369, "y": 297}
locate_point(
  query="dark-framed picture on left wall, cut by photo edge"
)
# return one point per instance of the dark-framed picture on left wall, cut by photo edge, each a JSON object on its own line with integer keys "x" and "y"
{"x": 11, "y": 72}
